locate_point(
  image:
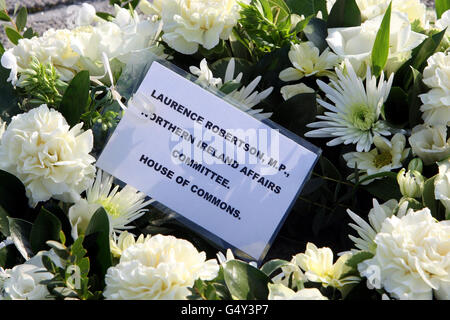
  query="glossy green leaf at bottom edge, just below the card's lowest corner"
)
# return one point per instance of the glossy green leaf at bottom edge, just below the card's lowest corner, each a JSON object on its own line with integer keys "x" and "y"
{"x": 245, "y": 282}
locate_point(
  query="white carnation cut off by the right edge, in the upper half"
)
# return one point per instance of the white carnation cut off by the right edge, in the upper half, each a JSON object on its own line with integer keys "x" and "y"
{"x": 436, "y": 103}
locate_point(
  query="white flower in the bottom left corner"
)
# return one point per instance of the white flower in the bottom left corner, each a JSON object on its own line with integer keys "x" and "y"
{"x": 23, "y": 283}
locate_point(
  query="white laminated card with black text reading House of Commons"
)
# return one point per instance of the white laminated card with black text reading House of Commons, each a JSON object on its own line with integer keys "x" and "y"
{"x": 212, "y": 163}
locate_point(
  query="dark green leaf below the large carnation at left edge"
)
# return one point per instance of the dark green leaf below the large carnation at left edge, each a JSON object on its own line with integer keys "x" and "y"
{"x": 46, "y": 227}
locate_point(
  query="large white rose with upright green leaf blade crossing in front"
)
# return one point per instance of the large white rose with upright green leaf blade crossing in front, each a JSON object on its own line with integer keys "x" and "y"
{"x": 356, "y": 43}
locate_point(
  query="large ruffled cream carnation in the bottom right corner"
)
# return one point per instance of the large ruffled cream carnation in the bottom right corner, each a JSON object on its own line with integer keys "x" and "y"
{"x": 412, "y": 256}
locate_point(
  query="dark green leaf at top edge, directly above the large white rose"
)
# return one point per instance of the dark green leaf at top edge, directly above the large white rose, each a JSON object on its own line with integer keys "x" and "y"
{"x": 345, "y": 13}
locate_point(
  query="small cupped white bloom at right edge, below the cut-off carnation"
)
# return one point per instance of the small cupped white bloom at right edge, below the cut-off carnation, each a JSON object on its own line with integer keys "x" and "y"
{"x": 430, "y": 143}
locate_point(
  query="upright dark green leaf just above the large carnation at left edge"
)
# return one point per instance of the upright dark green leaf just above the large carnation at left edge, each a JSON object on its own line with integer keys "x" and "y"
{"x": 76, "y": 97}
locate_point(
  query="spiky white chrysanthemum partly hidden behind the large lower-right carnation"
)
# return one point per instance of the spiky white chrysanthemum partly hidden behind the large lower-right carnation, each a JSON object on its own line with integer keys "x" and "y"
{"x": 368, "y": 231}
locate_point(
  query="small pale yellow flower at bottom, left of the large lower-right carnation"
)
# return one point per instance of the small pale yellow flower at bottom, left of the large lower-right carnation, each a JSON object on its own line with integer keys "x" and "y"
{"x": 318, "y": 266}
